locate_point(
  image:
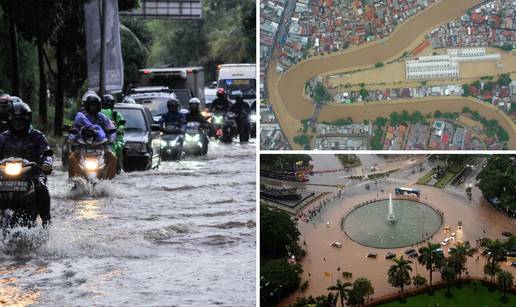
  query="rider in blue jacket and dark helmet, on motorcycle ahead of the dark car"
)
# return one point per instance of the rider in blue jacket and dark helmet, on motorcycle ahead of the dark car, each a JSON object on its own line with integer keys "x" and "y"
{"x": 92, "y": 119}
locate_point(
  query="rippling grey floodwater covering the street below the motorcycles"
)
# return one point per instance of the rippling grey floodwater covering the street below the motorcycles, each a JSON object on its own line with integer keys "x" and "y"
{"x": 180, "y": 235}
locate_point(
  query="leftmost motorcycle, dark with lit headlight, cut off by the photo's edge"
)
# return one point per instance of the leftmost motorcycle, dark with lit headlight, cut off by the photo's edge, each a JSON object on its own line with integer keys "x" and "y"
{"x": 17, "y": 193}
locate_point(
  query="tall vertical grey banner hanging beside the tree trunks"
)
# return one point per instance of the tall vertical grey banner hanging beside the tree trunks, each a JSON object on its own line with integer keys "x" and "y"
{"x": 113, "y": 63}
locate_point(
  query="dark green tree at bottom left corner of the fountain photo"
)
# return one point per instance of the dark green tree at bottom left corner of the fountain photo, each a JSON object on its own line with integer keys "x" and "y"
{"x": 278, "y": 279}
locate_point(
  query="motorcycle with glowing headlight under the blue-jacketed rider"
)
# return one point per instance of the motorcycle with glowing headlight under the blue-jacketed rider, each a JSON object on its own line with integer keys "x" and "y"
{"x": 92, "y": 164}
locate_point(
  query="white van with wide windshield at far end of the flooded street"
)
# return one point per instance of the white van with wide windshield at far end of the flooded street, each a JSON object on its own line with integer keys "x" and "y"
{"x": 242, "y": 77}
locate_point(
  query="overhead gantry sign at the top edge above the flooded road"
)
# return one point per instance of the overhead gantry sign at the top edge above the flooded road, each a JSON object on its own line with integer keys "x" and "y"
{"x": 174, "y": 9}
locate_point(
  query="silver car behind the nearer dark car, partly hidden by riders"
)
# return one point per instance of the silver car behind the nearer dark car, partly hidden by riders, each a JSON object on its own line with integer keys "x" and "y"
{"x": 154, "y": 98}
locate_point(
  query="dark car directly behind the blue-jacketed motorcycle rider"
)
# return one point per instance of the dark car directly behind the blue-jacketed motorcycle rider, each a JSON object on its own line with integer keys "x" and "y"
{"x": 142, "y": 138}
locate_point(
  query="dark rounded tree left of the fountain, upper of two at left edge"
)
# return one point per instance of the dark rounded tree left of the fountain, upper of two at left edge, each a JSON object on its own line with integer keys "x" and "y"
{"x": 279, "y": 234}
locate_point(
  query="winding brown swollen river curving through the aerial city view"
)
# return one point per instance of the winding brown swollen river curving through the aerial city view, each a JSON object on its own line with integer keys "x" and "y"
{"x": 286, "y": 90}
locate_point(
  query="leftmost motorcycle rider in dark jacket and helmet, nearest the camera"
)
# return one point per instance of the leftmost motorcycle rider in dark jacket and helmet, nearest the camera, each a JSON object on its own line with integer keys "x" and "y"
{"x": 22, "y": 141}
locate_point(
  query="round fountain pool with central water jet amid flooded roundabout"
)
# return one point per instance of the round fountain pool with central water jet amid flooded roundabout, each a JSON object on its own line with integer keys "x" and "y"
{"x": 391, "y": 223}
